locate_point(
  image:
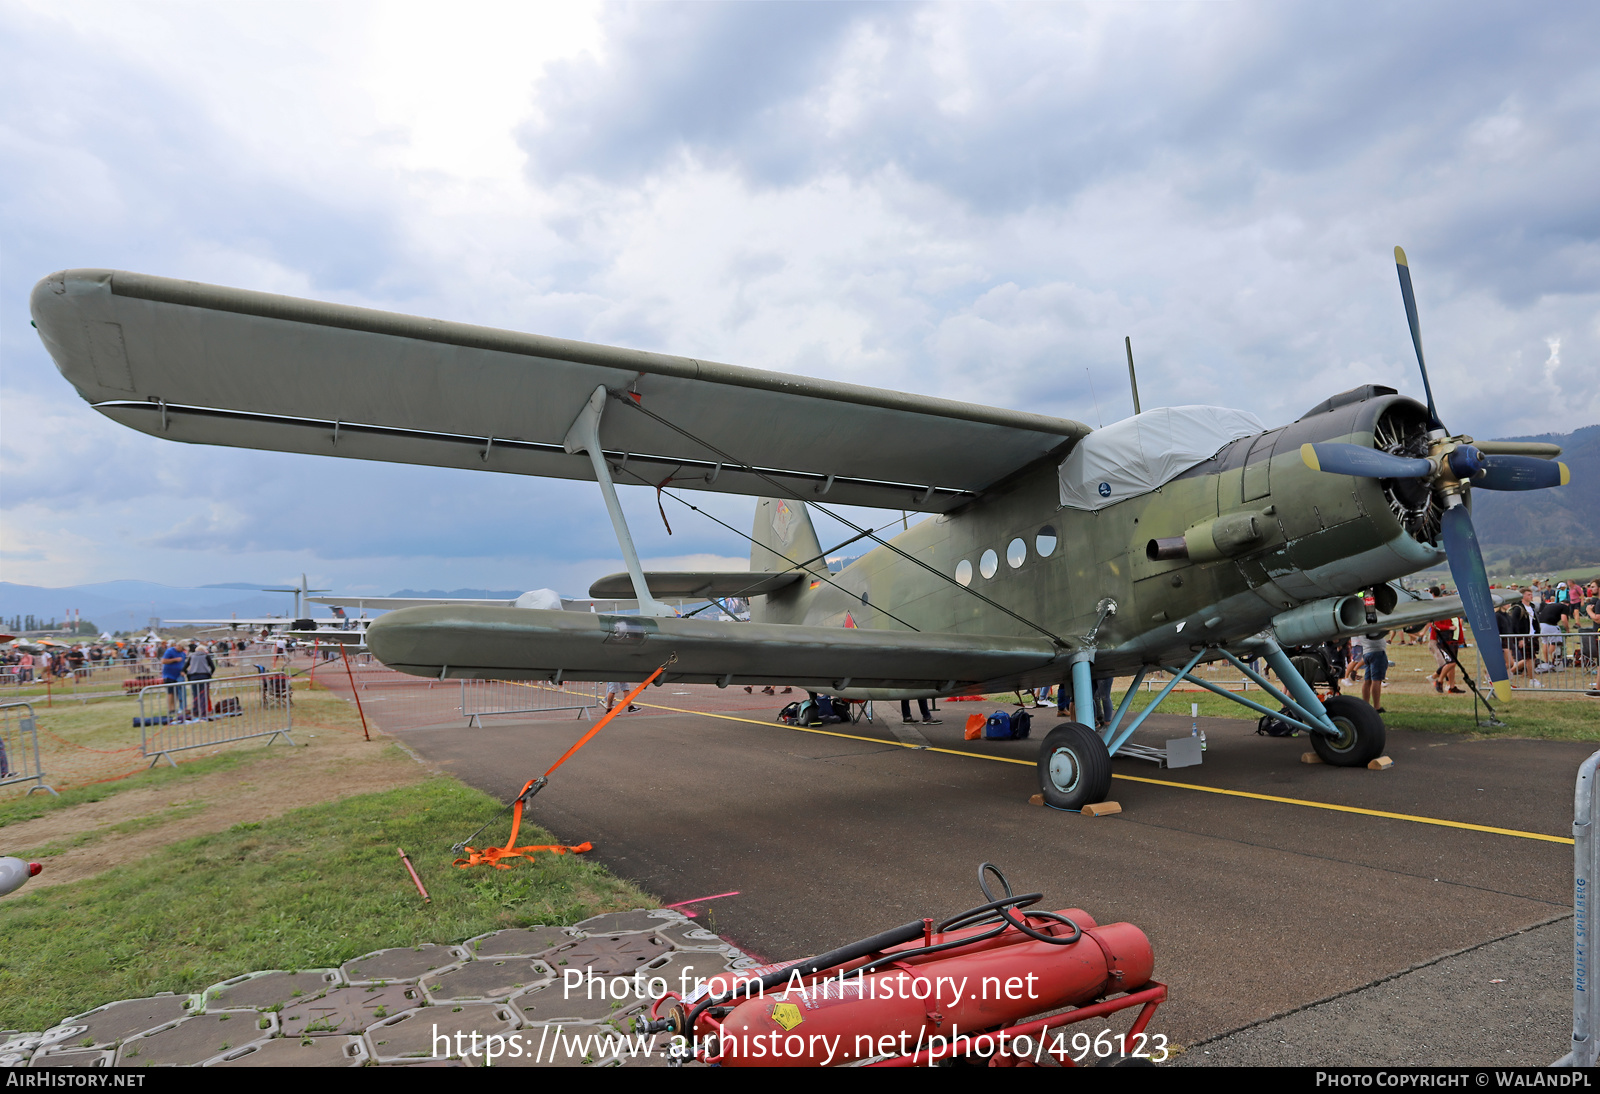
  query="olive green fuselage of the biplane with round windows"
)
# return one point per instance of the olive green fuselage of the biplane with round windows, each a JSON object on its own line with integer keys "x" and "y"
{"x": 1321, "y": 535}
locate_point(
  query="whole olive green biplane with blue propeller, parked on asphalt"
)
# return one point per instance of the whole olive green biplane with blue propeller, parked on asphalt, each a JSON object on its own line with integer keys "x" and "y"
{"x": 1057, "y": 553}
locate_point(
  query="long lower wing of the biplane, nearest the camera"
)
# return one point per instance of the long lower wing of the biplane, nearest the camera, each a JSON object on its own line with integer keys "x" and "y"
{"x": 506, "y": 644}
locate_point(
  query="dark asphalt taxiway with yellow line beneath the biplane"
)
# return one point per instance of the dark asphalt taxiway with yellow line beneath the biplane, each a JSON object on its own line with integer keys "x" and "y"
{"x": 1258, "y": 904}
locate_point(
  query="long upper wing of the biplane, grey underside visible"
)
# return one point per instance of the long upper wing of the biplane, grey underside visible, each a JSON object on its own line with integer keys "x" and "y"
{"x": 230, "y": 367}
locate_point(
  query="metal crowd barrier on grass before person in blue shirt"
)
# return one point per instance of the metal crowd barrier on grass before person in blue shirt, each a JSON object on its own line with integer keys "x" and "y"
{"x": 194, "y": 714}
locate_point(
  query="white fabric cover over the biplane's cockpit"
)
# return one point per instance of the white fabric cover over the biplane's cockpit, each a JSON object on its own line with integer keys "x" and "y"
{"x": 1145, "y": 452}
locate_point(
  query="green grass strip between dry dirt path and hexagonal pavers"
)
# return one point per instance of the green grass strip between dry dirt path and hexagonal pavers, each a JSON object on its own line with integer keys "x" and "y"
{"x": 311, "y": 888}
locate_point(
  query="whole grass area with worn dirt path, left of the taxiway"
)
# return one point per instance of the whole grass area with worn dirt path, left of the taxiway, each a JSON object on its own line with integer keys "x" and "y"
{"x": 255, "y": 858}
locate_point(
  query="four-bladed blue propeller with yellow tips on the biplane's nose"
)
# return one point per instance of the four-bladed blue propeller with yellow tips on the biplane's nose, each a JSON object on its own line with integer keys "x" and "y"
{"x": 1452, "y": 466}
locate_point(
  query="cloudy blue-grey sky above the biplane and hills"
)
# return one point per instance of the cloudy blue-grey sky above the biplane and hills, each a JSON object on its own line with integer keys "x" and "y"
{"x": 964, "y": 201}
